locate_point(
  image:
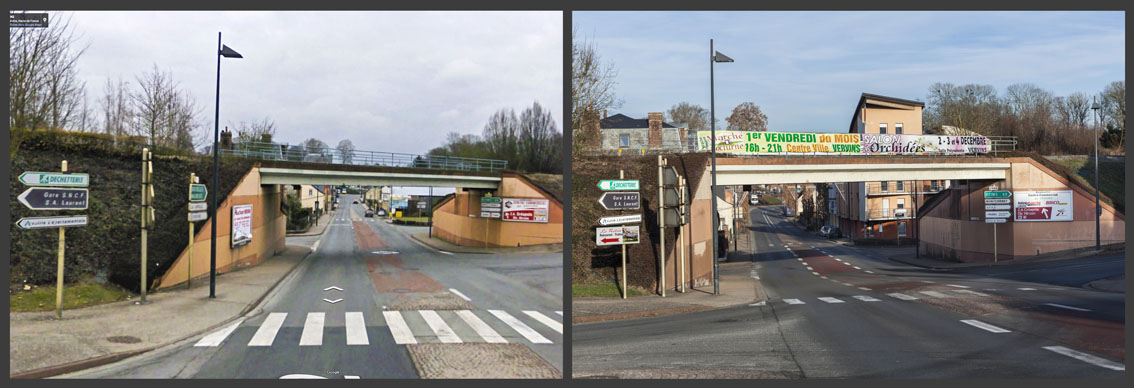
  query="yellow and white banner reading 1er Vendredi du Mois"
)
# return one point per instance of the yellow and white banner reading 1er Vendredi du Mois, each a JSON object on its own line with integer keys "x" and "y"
{"x": 781, "y": 142}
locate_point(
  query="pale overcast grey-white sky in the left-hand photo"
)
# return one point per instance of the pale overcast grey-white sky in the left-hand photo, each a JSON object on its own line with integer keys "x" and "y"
{"x": 387, "y": 81}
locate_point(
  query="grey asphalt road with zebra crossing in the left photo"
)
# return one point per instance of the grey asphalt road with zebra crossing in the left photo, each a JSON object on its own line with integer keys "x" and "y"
{"x": 390, "y": 292}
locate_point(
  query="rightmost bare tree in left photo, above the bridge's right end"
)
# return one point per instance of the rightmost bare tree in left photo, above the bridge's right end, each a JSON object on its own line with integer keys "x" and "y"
{"x": 539, "y": 144}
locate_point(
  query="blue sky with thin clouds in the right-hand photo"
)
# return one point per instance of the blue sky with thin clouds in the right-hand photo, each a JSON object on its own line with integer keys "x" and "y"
{"x": 807, "y": 70}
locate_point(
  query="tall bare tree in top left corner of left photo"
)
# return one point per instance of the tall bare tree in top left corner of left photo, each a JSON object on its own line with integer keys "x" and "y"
{"x": 44, "y": 87}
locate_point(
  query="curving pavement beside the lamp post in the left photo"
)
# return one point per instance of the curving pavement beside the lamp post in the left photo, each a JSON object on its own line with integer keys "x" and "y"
{"x": 43, "y": 347}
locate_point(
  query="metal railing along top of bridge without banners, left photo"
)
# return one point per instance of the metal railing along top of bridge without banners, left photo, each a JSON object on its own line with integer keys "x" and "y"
{"x": 286, "y": 153}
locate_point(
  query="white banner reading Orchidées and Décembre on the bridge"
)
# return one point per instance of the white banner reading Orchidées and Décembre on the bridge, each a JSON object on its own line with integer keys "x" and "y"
{"x": 905, "y": 145}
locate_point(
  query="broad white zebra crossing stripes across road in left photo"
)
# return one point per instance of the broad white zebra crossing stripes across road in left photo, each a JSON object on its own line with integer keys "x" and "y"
{"x": 404, "y": 327}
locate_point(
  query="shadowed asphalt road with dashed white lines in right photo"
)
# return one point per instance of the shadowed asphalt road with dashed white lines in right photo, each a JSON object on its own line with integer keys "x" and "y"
{"x": 836, "y": 311}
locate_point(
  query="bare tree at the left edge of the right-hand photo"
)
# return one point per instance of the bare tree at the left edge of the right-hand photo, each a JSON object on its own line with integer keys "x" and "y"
{"x": 593, "y": 87}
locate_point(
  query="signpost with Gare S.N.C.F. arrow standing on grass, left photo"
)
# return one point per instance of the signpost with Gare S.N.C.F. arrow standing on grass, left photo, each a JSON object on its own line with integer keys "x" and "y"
{"x": 55, "y": 199}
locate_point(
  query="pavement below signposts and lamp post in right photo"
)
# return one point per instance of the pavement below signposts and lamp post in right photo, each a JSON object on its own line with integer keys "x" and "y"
{"x": 738, "y": 288}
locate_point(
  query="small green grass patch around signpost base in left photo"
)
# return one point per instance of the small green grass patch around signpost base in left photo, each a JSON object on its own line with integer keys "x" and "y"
{"x": 78, "y": 296}
